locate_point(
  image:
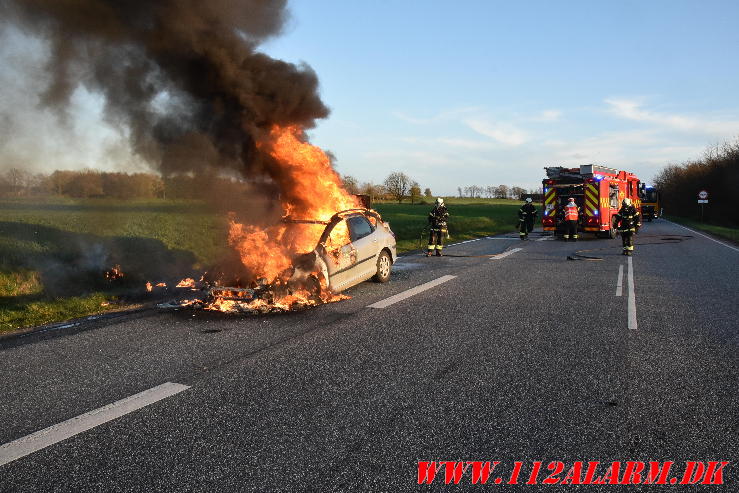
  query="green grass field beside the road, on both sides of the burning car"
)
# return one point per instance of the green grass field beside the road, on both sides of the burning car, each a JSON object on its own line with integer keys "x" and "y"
{"x": 53, "y": 253}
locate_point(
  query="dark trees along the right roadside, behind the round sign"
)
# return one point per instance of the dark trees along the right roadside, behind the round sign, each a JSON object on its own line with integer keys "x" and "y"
{"x": 717, "y": 172}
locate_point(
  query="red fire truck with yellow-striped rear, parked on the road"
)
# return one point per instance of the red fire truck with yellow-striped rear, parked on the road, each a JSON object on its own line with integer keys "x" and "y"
{"x": 597, "y": 190}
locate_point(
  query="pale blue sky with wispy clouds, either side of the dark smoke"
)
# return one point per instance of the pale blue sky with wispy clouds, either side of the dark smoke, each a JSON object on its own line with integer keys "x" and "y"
{"x": 465, "y": 92}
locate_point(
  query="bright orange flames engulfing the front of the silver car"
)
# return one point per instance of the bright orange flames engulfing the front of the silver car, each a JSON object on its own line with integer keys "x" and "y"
{"x": 310, "y": 190}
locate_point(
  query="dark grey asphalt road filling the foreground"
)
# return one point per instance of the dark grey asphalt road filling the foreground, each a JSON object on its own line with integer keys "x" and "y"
{"x": 522, "y": 357}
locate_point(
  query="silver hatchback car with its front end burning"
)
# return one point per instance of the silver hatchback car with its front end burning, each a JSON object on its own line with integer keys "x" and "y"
{"x": 356, "y": 245}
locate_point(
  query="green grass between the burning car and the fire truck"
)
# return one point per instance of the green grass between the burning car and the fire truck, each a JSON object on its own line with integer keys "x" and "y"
{"x": 471, "y": 219}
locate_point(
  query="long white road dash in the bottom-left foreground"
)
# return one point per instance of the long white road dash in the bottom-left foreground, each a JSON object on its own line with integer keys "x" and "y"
{"x": 79, "y": 424}
